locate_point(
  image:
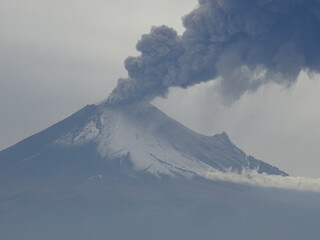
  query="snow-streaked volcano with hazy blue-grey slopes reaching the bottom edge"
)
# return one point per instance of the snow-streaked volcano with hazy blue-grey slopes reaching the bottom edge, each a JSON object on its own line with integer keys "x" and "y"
{"x": 129, "y": 171}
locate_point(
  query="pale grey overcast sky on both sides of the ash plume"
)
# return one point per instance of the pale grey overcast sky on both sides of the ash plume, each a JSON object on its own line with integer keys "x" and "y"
{"x": 57, "y": 56}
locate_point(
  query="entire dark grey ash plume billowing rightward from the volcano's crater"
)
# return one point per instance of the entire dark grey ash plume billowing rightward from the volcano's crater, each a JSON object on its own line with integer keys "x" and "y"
{"x": 244, "y": 43}
